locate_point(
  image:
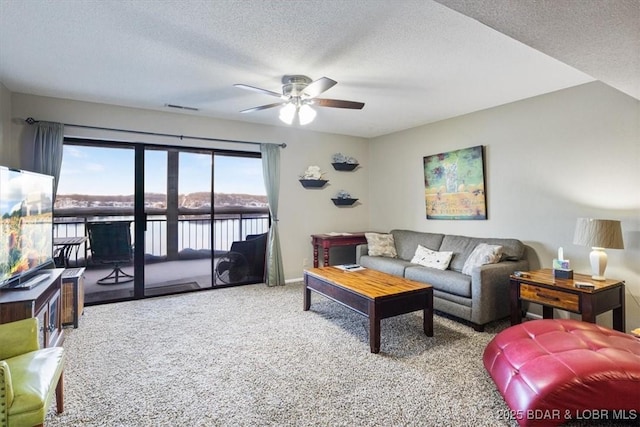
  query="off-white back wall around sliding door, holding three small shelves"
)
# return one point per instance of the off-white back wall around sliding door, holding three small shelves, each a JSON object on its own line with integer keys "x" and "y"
{"x": 302, "y": 212}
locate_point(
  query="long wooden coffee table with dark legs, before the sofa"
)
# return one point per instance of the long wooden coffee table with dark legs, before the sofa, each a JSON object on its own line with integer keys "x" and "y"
{"x": 371, "y": 293}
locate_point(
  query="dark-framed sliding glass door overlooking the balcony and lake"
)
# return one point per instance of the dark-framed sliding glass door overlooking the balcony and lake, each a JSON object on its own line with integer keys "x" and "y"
{"x": 189, "y": 219}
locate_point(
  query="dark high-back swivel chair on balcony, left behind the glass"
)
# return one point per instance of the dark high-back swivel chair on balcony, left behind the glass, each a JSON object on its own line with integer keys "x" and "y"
{"x": 110, "y": 243}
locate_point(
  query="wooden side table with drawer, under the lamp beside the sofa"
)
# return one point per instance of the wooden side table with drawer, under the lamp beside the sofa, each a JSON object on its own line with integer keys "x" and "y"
{"x": 541, "y": 287}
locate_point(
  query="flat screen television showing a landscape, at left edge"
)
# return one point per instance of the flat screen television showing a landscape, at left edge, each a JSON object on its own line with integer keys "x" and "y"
{"x": 26, "y": 234}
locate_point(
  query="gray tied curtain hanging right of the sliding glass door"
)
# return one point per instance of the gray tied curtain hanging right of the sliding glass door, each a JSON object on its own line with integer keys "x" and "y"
{"x": 271, "y": 173}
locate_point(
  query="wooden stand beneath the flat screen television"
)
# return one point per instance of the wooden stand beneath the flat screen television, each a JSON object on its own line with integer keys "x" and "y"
{"x": 42, "y": 301}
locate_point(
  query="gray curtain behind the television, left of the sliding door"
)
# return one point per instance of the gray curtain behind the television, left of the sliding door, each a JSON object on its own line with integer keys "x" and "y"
{"x": 44, "y": 154}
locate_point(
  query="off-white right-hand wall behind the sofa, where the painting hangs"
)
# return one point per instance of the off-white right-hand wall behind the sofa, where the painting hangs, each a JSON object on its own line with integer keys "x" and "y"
{"x": 549, "y": 160}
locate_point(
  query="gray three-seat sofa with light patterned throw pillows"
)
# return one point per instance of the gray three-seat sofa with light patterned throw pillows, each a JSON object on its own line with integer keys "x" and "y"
{"x": 479, "y": 298}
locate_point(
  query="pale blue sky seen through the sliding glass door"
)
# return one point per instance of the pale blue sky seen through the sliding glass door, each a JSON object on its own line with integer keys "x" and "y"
{"x": 110, "y": 171}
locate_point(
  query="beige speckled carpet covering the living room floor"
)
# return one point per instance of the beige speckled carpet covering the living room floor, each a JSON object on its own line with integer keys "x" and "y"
{"x": 250, "y": 356}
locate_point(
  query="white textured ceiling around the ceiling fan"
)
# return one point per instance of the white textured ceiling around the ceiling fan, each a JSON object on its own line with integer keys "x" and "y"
{"x": 411, "y": 62}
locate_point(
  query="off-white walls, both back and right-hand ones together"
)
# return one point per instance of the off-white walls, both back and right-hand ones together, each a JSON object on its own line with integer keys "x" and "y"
{"x": 549, "y": 160}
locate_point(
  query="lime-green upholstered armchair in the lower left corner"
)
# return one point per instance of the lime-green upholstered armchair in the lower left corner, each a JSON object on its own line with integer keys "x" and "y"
{"x": 28, "y": 375}
